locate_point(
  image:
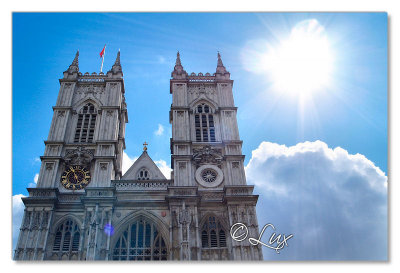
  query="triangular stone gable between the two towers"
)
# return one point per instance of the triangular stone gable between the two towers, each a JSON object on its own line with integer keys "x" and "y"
{"x": 144, "y": 162}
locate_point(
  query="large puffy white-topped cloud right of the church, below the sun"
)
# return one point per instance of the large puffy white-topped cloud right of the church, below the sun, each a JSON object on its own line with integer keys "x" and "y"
{"x": 335, "y": 203}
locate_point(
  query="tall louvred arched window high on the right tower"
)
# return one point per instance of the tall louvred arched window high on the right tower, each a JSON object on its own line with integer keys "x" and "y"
{"x": 204, "y": 124}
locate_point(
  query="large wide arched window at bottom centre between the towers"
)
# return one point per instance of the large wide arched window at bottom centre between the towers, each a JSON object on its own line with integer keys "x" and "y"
{"x": 140, "y": 241}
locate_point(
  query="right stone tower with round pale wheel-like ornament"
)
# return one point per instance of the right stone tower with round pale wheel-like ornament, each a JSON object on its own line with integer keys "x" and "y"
{"x": 208, "y": 170}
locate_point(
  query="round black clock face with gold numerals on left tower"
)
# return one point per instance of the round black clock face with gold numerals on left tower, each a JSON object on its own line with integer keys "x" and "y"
{"x": 75, "y": 178}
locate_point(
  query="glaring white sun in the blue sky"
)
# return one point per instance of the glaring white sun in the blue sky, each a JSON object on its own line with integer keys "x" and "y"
{"x": 303, "y": 62}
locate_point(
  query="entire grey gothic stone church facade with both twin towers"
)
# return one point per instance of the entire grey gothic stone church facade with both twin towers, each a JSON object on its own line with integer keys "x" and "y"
{"x": 140, "y": 215}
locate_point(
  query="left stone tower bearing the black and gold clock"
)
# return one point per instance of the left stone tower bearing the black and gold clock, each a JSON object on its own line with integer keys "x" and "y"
{"x": 83, "y": 153}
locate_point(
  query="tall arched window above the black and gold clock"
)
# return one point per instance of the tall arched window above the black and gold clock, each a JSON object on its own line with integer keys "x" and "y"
{"x": 86, "y": 123}
